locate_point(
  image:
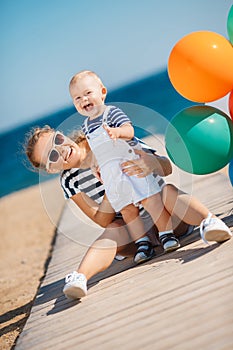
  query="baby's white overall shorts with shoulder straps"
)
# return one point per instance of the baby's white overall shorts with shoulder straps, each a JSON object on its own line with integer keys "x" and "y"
{"x": 120, "y": 188}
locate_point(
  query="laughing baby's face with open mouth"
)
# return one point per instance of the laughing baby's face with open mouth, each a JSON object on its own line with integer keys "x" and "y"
{"x": 88, "y": 96}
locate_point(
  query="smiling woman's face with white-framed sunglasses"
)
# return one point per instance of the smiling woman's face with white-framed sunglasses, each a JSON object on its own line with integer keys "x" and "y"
{"x": 56, "y": 152}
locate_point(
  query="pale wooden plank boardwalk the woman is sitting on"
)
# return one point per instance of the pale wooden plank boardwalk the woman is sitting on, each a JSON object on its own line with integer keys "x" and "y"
{"x": 181, "y": 300}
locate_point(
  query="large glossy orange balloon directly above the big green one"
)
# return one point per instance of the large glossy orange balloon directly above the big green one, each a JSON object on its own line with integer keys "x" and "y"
{"x": 200, "y": 66}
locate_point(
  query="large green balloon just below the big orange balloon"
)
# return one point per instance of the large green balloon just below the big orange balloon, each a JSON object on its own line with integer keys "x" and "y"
{"x": 199, "y": 139}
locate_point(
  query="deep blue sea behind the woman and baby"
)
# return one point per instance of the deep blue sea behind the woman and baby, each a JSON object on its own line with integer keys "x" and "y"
{"x": 148, "y": 98}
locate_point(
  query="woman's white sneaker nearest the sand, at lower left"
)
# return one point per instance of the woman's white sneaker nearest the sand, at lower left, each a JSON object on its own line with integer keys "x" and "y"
{"x": 75, "y": 285}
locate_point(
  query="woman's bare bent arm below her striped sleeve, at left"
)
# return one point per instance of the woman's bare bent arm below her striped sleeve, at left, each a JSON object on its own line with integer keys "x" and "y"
{"x": 102, "y": 214}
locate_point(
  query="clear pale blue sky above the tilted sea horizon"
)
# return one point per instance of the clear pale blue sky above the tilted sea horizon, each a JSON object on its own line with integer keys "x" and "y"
{"x": 45, "y": 42}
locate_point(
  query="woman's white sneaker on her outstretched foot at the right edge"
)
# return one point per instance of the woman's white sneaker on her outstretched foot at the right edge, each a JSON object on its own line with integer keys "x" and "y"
{"x": 214, "y": 229}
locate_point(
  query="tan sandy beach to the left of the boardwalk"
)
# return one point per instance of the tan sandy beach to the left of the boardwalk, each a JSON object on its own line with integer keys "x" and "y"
{"x": 27, "y": 226}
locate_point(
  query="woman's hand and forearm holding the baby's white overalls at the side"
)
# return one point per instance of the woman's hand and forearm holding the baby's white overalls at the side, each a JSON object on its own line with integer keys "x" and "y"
{"x": 146, "y": 164}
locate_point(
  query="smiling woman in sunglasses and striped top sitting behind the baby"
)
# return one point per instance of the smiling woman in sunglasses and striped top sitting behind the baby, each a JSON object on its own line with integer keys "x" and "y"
{"x": 54, "y": 152}
